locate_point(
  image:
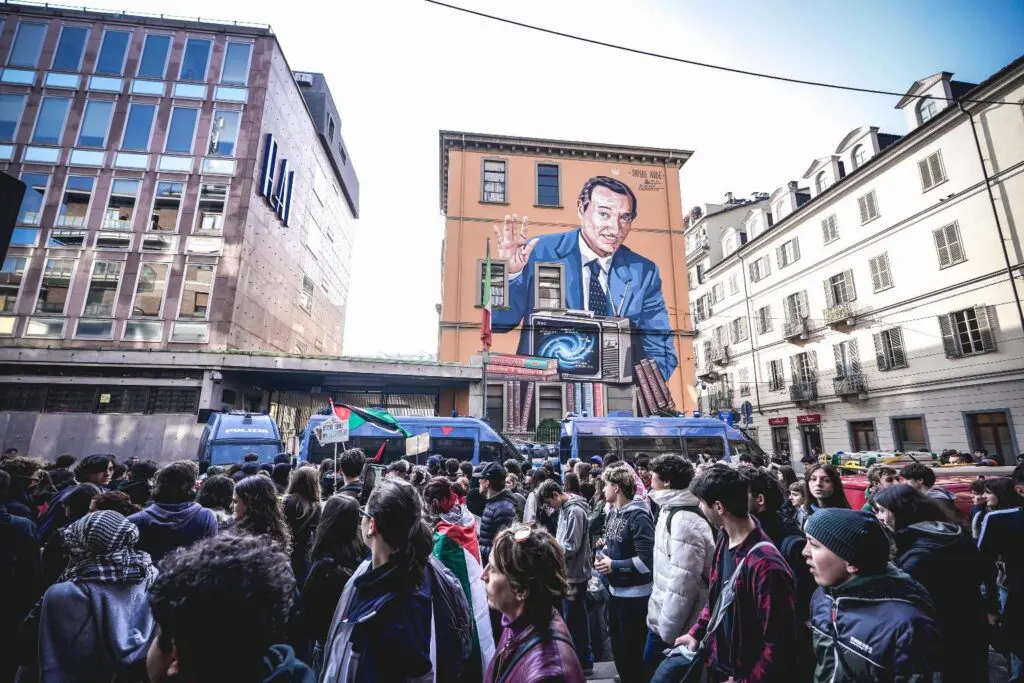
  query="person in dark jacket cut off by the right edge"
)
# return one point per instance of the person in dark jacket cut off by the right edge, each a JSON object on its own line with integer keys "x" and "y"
{"x": 1000, "y": 540}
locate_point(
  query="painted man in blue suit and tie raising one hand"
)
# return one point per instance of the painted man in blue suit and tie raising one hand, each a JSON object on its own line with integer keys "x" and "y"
{"x": 602, "y": 275}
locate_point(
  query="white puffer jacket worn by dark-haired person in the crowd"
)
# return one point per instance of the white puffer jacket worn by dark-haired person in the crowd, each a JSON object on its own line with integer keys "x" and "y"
{"x": 684, "y": 558}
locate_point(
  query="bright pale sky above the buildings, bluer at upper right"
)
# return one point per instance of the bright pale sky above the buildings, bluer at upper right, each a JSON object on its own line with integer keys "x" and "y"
{"x": 401, "y": 70}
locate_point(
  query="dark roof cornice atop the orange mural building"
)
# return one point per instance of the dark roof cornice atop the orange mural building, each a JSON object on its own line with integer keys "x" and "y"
{"x": 508, "y": 145}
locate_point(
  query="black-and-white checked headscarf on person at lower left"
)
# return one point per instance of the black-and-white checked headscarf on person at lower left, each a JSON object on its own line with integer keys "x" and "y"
{"x": 102, "y": 548}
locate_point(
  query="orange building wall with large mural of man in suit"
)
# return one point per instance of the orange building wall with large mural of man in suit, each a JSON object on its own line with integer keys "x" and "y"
{"x": 588, "y": 278}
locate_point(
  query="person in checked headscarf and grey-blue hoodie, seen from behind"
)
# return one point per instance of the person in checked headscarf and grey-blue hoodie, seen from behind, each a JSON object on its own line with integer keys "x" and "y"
{"x": 96, "y": 623}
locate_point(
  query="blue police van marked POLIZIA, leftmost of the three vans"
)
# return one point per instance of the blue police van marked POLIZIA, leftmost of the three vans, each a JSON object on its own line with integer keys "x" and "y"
{"x": 230, "y": 437}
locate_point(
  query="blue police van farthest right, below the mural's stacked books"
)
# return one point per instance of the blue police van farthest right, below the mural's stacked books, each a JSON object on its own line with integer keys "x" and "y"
{"x": 585, "y": 438}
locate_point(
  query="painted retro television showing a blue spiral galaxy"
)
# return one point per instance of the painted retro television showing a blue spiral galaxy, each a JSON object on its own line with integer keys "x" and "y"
{"x": 587, "y": 348}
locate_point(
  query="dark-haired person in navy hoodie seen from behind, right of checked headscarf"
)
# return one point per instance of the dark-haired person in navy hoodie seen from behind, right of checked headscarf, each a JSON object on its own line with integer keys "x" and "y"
{"x": 175, "y": 520}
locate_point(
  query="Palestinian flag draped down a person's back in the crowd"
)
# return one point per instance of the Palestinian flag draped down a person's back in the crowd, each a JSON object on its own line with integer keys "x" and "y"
{"x": 457, "y": 547}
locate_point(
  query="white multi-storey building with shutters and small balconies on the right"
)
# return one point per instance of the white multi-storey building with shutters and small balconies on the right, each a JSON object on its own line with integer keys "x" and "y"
{"x": 877, "y": 308}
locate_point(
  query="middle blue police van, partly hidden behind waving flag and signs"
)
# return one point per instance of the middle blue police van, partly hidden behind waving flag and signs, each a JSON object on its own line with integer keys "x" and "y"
{"x": 467, "y": 440}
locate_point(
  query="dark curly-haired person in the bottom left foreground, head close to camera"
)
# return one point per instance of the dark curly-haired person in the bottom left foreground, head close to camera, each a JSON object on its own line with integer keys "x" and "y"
{"x": 226, "y": 630}
